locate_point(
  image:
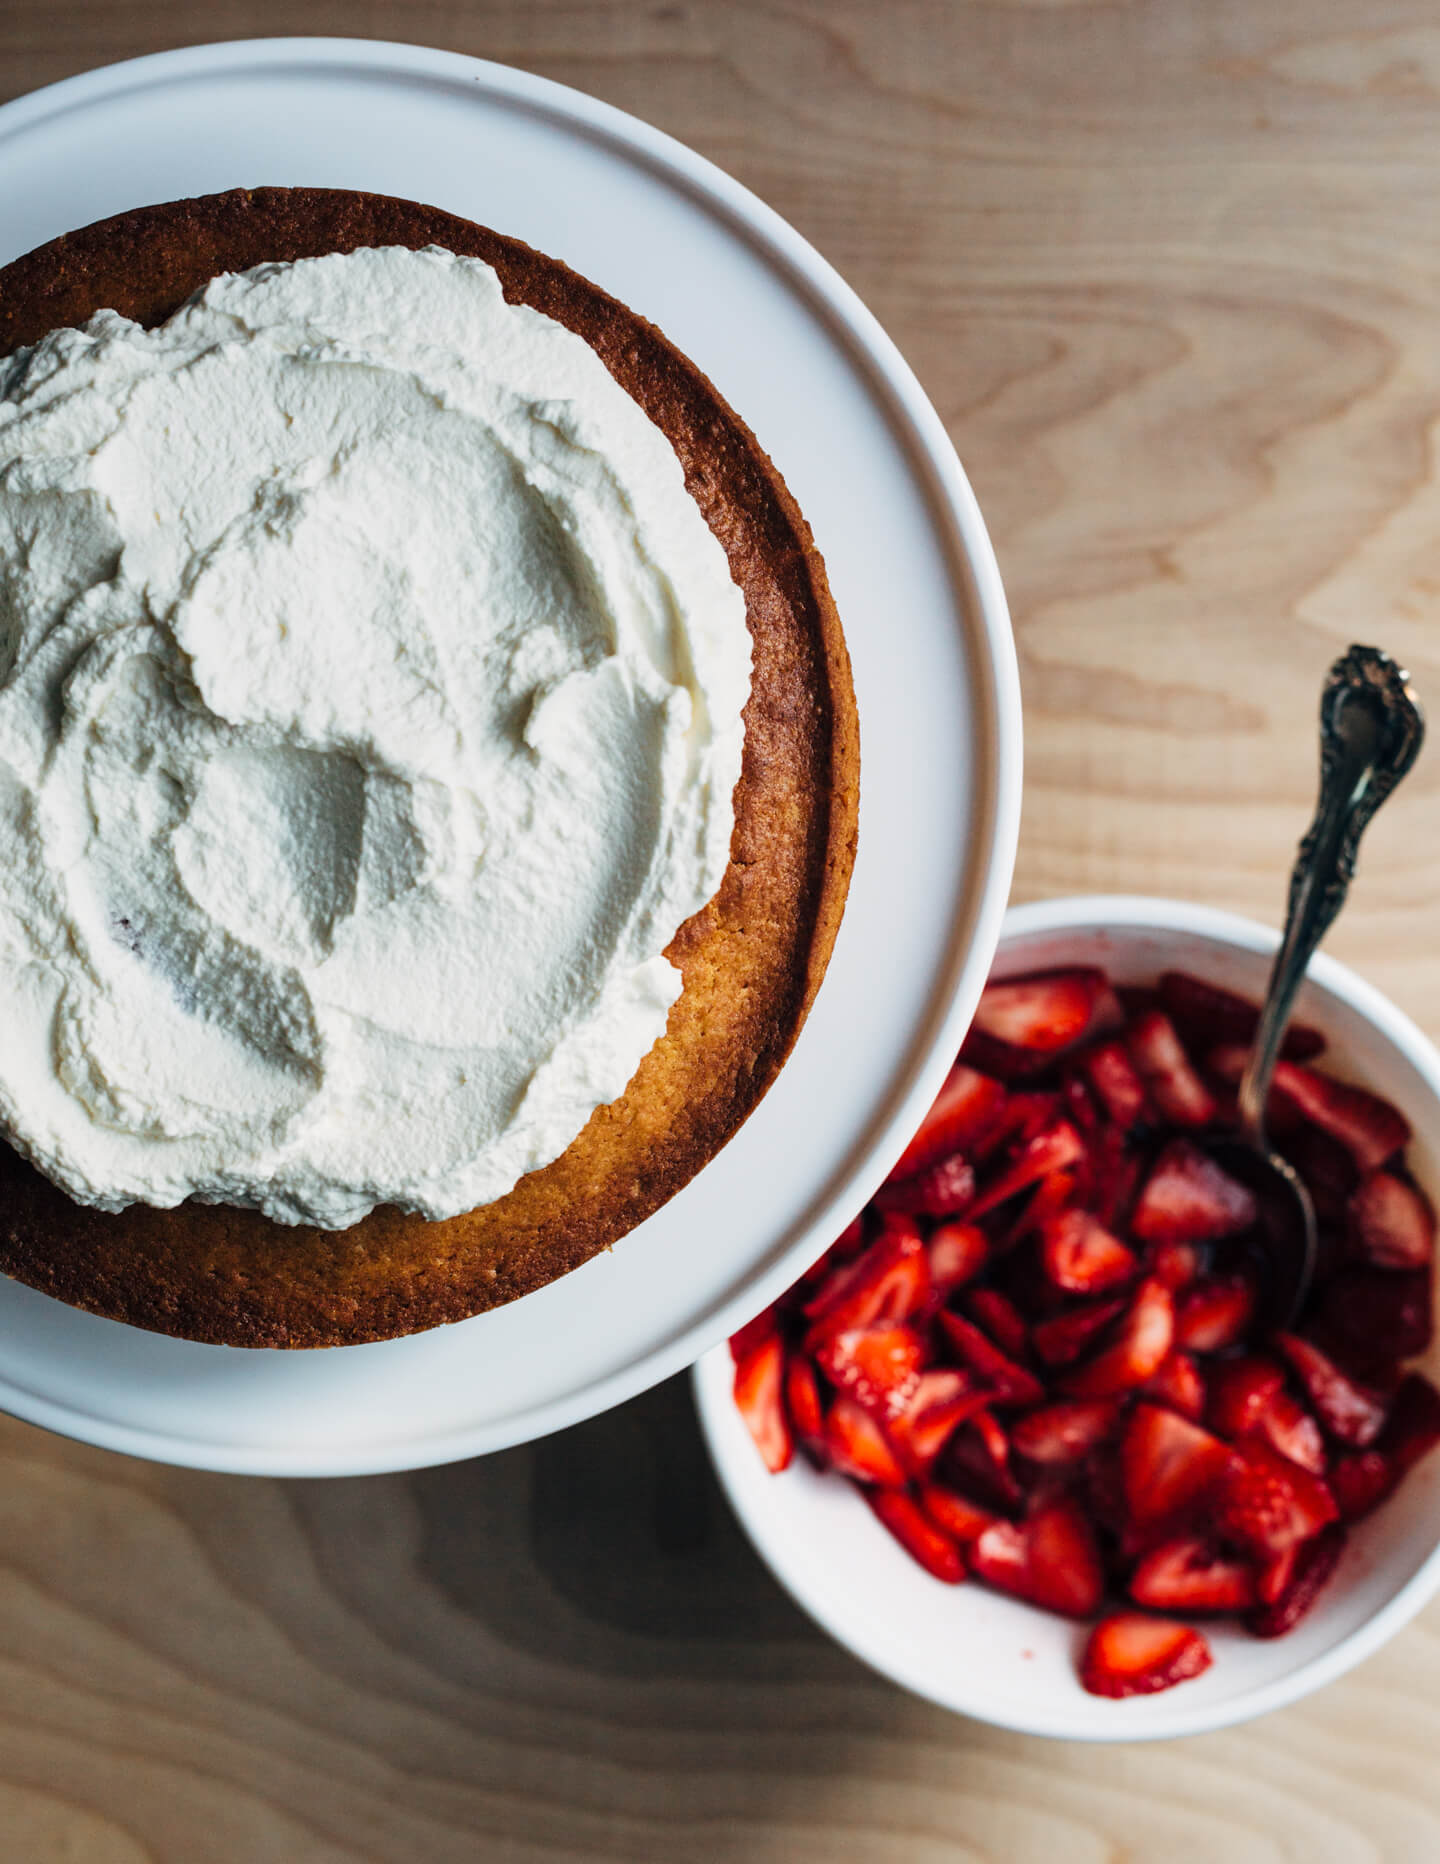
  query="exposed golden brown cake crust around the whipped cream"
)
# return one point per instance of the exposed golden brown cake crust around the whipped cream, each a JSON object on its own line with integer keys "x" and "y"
{"x": 752, "y": 959}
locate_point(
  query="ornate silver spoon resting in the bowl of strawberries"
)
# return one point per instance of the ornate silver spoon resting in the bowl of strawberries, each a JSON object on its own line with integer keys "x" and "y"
{"x": 1370, "y": 735}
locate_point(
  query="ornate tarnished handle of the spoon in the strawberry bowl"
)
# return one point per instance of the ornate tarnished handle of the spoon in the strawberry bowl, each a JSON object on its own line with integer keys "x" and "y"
{"x": 1370, "y": 735}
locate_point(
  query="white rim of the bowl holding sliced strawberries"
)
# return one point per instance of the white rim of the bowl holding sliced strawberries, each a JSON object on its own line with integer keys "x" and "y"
{"x": 711, "y": 1377}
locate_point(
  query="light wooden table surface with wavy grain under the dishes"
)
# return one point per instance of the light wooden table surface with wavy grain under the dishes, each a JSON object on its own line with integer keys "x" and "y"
{"x": 1173, "y": 279}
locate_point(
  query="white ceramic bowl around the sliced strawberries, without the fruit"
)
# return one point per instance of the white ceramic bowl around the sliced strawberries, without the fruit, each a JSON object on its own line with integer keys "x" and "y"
{"x": 971, "y": 1649}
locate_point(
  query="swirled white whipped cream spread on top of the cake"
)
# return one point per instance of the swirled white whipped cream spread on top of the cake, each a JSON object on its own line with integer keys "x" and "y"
{"x": 370, "y": 719}
